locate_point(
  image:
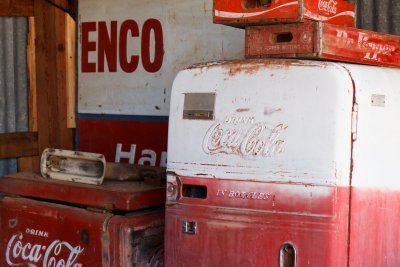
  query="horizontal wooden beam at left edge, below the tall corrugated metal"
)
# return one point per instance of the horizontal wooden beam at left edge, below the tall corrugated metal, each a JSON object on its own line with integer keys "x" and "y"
{"x": 18, "y": 145}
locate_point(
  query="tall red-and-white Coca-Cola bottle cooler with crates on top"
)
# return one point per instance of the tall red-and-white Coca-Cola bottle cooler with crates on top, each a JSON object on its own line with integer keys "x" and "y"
{"x": 283, "y": 163}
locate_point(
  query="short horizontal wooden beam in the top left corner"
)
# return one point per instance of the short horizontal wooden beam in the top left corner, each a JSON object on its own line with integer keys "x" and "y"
{"x": 16, "y": 8}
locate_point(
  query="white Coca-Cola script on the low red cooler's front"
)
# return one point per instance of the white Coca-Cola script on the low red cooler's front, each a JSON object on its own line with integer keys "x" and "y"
{"x": 18, "y": 253}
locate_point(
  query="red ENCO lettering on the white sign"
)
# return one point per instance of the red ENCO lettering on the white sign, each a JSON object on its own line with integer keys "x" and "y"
{"x": 112, "y": 45}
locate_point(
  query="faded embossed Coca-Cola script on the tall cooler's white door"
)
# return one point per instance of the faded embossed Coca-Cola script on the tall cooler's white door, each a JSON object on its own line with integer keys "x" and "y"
{"x": 242, "y": 136}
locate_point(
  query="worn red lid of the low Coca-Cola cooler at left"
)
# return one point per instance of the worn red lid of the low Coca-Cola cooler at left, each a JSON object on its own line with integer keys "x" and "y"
{"x": 111, "y": 195}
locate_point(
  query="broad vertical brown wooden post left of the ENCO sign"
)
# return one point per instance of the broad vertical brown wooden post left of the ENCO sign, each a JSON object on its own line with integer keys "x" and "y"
{"x": 50, "y": 77}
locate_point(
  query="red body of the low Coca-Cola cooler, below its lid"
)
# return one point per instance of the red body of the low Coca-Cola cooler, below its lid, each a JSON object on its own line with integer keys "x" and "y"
{"x": 38, "y": 233}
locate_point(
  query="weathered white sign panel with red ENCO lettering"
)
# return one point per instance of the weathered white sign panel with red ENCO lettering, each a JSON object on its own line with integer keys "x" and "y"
{"x": 130, "y": 51}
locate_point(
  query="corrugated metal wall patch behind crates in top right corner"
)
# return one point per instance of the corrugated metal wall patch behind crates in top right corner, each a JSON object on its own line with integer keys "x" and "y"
{"x": 379, "y": 15}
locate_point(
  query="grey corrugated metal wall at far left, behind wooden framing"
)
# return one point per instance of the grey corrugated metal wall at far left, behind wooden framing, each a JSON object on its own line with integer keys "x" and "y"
{"x": 13, "y": 81}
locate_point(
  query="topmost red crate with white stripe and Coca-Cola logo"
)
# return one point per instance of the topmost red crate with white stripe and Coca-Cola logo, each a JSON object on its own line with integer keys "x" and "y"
{"x": 240, "y": 13}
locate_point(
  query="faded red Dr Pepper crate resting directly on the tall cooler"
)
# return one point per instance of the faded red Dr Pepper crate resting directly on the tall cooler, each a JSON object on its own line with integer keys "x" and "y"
{"x": 316, "y": 40}
